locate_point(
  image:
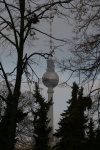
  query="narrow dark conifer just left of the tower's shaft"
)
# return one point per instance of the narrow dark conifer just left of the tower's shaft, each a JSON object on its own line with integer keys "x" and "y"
{"x": 41, "y": 130}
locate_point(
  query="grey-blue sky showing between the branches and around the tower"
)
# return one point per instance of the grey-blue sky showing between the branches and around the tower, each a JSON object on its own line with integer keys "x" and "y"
{"x": 60, "y": 29}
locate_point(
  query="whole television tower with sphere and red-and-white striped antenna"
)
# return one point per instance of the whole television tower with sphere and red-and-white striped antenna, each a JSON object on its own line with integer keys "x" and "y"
{"x": 50, "y": 79}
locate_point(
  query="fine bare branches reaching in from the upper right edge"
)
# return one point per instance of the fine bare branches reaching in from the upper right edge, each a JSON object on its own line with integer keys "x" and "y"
{"x": 86, "y": 41}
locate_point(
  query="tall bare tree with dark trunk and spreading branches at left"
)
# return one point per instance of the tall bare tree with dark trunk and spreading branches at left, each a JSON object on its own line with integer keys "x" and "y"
{"x": 18, "y": 19}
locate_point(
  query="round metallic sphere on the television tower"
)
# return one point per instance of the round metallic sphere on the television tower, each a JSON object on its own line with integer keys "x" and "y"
{"x": 50, "y": 79}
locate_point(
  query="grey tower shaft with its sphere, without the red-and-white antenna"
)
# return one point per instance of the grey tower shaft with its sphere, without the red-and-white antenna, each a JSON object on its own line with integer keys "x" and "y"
{"x": 50, "y": 80}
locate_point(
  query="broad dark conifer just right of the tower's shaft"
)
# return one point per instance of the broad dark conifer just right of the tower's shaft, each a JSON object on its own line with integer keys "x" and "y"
{"x": 73, "y": 124}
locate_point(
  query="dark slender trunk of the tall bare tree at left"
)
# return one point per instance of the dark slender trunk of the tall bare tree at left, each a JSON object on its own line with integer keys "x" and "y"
{"x": 12, "y": 126}
